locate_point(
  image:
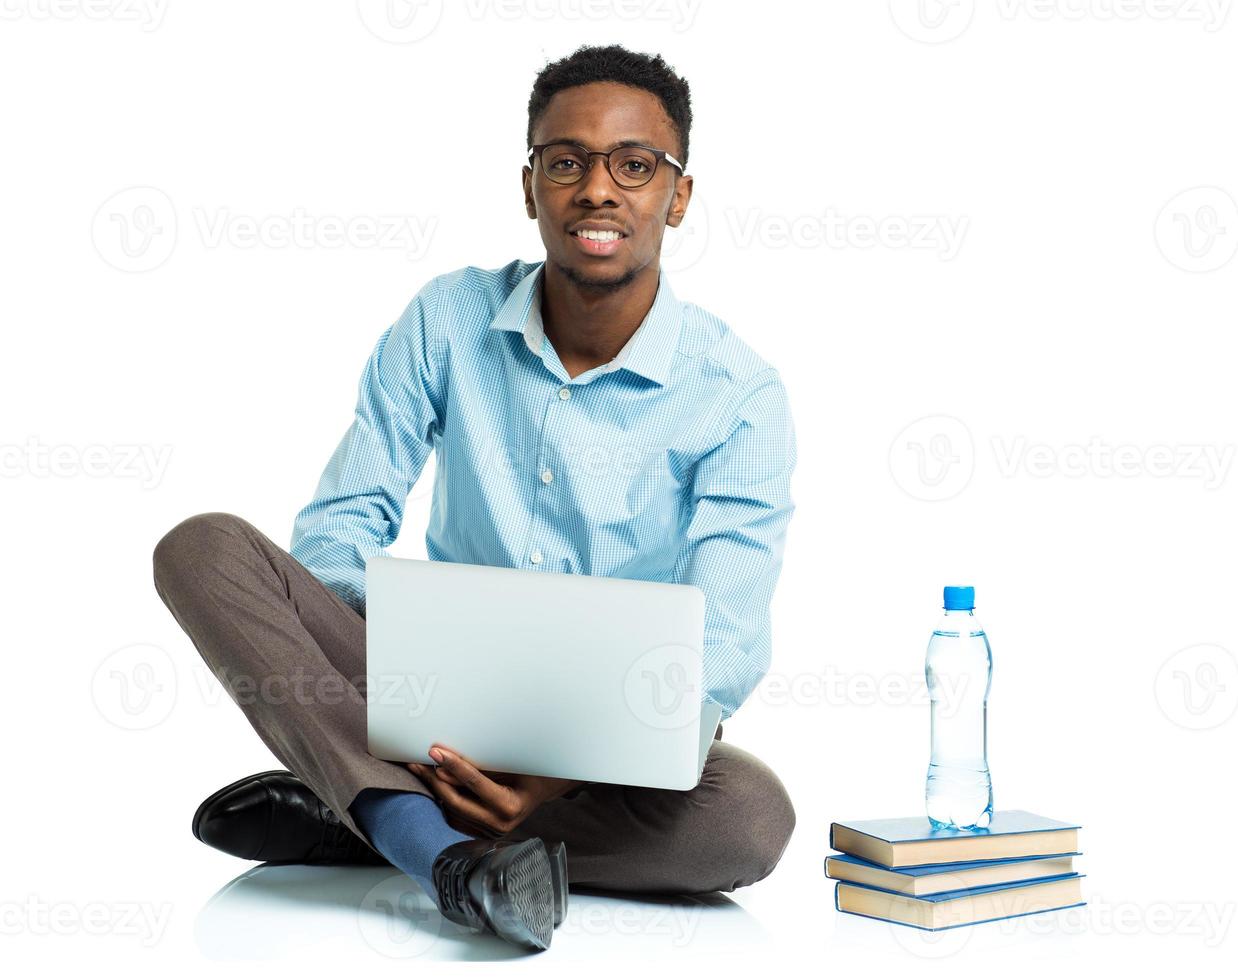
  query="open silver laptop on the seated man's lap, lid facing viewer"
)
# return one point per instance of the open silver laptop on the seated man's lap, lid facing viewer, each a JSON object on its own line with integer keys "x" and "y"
{"x": 581, "y": 677}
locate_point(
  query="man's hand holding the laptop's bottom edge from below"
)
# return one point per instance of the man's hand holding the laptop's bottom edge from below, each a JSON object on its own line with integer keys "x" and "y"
{"x": 486, "y": 804}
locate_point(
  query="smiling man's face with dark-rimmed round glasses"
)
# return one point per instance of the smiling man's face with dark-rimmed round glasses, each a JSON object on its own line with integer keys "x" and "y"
{"x": 599, "y": 117}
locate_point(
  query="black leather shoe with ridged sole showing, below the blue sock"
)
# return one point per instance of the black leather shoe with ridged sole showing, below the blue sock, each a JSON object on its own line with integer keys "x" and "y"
{"x": 500, "y": 887}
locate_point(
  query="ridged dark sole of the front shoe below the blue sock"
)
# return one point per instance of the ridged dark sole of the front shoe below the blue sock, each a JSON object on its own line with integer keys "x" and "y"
{"x": 519, "y": 895}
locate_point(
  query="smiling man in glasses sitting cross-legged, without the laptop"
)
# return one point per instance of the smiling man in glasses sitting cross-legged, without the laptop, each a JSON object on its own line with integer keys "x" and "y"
{"x": 584, "y": 421}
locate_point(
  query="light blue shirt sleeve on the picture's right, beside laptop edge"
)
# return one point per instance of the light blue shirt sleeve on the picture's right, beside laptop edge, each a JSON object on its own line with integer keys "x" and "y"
{"x": 736, "y": 536}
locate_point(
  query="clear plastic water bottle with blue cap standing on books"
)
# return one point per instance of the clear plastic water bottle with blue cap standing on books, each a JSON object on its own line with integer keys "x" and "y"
{"x": 959, "y": 669}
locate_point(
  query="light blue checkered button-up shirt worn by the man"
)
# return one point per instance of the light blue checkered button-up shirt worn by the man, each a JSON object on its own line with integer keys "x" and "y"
{"x": 670, "y": 463}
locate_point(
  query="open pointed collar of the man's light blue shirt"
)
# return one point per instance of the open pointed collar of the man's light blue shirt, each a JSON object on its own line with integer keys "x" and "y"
{"x": 648, "y": 353}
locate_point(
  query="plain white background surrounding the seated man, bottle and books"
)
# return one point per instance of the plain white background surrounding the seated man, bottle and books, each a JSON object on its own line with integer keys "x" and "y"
{"x": 971, "y": 238}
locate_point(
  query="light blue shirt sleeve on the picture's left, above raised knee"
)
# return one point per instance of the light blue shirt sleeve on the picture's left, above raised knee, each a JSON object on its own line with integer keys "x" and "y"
{"x": 358, "y": 505}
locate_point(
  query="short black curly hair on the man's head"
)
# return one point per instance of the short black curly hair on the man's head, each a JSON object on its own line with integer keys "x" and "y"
{"x": 616, "y": 64}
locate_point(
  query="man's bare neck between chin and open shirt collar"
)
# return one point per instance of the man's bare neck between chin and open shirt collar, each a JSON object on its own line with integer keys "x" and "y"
{"x": 590, "y": 325}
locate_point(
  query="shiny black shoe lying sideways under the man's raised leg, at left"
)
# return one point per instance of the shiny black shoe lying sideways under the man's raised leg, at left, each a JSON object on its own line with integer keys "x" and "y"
{"x": 277, "y": 819}
